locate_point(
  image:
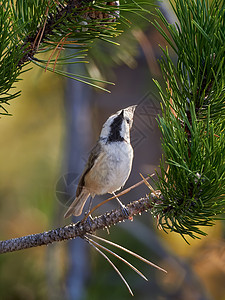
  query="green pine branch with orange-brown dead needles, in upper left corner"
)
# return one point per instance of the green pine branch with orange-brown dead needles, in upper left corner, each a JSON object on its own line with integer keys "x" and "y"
{"x": 30, "y": 29}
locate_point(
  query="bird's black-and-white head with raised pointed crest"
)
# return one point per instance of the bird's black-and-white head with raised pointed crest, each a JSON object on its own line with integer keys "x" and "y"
{"x": 117, "y": 127}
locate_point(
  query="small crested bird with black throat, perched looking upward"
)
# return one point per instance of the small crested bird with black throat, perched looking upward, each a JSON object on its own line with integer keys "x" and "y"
{"x": 109, "y": 163}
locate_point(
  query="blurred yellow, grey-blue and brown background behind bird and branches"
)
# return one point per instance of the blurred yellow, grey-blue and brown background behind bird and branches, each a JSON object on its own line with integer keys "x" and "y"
{"x": 44, "y": 147}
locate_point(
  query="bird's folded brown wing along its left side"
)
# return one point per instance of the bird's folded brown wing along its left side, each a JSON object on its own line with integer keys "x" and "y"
{"x": 90, "y": 163}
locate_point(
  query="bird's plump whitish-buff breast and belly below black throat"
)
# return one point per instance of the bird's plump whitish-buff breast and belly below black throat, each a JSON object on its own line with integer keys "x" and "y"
{"x": 111, "y": 169}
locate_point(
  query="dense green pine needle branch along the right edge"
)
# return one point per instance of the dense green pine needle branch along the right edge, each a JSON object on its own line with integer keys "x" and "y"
{"x": 192, "y": 179}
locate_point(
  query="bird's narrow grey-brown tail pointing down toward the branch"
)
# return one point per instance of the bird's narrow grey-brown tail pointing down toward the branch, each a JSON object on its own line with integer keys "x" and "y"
{"x": 77, "y": 205}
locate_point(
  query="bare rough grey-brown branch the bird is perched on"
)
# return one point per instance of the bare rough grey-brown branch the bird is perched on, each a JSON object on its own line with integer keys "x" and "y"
{"x": 79, "y": 229}
